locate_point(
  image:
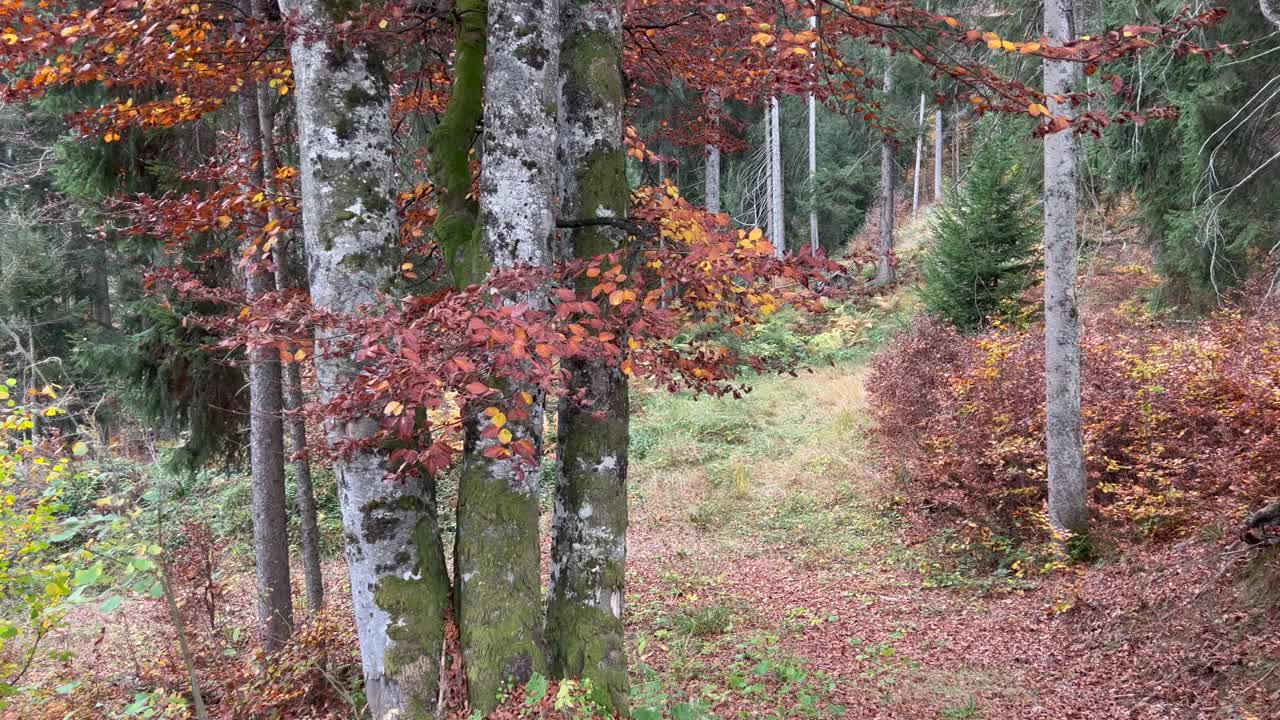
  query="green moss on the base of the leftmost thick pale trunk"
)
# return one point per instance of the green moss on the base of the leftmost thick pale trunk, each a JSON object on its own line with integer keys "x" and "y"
{"x": 417, "y": 608}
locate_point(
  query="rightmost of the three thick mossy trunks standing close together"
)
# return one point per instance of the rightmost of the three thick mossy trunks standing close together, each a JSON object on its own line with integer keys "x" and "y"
{"x": 584, "y": 617}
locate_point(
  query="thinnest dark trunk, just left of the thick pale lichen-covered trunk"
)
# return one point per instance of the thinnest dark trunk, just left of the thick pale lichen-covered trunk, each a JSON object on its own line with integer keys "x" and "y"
{"x": 291, "y": 373}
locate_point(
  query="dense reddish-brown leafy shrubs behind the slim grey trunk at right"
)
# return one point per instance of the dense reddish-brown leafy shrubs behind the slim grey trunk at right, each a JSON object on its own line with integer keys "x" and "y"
{"x": 1182, "y": 425}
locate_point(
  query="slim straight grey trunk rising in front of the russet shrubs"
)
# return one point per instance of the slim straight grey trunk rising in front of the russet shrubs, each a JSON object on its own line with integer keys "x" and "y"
{"x": 1068, "y": 498}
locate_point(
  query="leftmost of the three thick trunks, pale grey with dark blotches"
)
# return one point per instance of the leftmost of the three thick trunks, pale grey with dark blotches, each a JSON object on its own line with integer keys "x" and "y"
{"x": 399, "y": 580}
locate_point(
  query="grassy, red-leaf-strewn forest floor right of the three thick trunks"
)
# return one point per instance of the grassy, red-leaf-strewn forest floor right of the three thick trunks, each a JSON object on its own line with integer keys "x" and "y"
{"x": 772, "y": 576}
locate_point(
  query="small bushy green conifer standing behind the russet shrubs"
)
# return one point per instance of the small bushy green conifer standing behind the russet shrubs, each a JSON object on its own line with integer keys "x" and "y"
{"x": 985, "y": 238}
